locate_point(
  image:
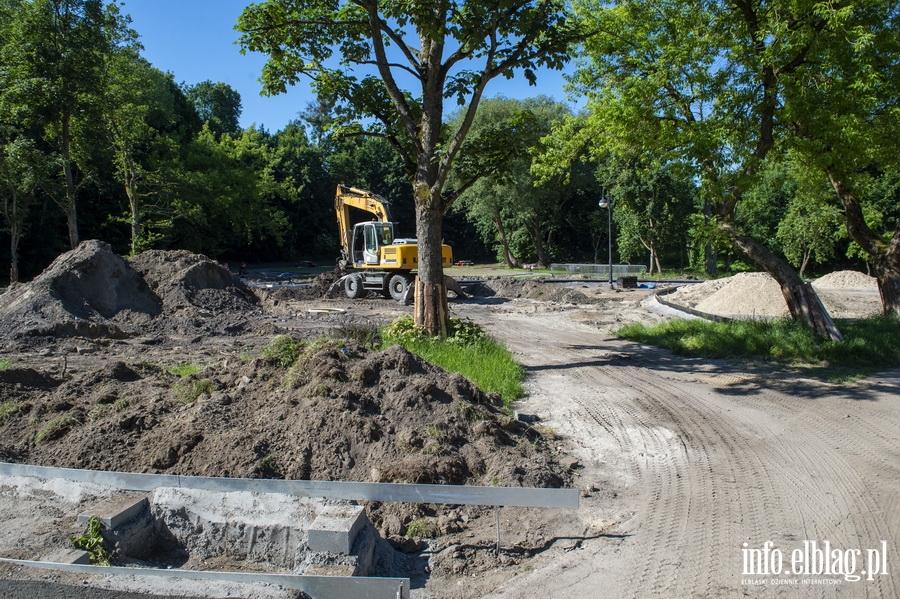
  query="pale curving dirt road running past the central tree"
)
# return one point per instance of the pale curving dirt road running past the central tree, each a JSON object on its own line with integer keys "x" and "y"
{"x": 690, "y": 464}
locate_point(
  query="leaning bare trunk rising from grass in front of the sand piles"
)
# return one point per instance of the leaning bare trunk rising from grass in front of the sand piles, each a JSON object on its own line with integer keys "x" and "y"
{"x": 802, "y": 301}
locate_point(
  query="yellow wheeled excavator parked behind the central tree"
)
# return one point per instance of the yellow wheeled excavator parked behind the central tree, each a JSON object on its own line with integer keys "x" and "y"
{"x": 376, "y": 260}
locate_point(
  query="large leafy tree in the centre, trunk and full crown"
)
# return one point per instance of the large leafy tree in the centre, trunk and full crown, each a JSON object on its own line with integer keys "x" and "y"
{"x": 397, "y": 62}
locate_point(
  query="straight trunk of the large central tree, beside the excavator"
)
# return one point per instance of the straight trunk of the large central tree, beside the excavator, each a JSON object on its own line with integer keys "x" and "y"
{"x": 431, "y": 296}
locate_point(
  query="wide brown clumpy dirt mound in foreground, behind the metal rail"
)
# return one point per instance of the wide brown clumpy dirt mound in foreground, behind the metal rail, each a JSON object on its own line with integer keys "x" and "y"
{"x": 341, "y": 412}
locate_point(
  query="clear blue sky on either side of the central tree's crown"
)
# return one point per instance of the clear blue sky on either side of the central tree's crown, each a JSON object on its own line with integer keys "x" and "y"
{"x": 195, "y": 41}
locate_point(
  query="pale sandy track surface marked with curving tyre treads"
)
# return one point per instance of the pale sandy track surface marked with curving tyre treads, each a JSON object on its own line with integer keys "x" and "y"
{"x": 709, "y": 466}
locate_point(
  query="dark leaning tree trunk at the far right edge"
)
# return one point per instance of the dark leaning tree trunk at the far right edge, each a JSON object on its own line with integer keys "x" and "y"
{"x": 885, "y": 256}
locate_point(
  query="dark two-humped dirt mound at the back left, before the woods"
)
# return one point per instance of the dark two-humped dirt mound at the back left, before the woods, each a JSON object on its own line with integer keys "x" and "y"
{"x": 92, "y": 292}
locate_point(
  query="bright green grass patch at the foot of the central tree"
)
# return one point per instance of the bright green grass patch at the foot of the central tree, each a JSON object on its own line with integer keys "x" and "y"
{"x": 467, "y": 350}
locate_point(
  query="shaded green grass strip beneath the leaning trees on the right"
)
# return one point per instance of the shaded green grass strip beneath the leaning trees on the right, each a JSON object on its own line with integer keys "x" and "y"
{"x": 869, "y": 344}
